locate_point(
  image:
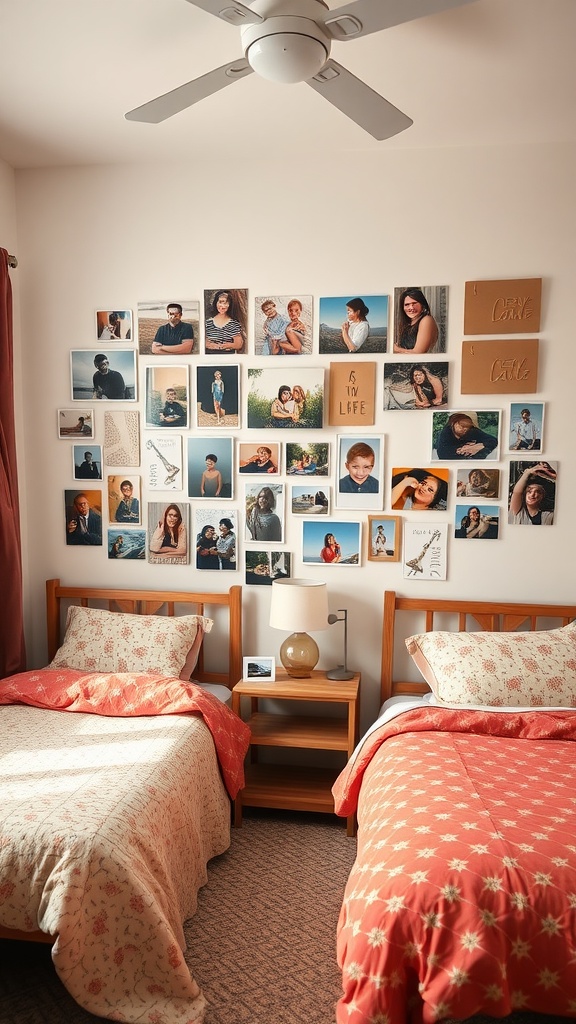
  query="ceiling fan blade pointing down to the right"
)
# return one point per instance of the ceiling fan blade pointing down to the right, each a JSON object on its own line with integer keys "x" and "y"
{"x": 359, "y": 102}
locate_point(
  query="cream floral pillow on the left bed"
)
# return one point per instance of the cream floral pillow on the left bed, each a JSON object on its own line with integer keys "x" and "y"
{"x": 111, "y": 642}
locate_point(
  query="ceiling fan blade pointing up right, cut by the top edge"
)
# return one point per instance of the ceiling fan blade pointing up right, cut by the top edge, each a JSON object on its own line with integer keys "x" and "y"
{"x": 364, "y": 17}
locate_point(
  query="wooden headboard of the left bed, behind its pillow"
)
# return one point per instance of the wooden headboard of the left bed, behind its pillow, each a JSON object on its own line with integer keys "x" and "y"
{"x": 226, "y": 609}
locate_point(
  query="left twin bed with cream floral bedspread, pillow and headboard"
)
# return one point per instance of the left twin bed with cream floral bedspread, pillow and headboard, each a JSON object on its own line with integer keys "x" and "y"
{"x": 117, "y": 781}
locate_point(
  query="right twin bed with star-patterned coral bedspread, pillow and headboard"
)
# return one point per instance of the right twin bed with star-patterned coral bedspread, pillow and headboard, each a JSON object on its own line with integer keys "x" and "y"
{"x": 463, "y": 898}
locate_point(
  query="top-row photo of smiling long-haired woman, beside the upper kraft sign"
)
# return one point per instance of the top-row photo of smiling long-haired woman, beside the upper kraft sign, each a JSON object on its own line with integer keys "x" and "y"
{"x": 421, "y": 316}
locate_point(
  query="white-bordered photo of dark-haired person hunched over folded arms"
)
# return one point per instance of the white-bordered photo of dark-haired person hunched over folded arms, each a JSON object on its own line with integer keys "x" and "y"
{"x": 467, "y": 435}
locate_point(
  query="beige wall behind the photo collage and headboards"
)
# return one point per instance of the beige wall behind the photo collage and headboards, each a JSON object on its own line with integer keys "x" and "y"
{"x": 106, "y": 238}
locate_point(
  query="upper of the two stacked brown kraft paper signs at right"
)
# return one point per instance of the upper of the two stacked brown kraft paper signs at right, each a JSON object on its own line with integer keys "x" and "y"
{"x": 503, "y": 307}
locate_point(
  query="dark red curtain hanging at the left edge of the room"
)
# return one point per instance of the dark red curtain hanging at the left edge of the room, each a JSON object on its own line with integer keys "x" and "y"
{"x": 13, "y": 652}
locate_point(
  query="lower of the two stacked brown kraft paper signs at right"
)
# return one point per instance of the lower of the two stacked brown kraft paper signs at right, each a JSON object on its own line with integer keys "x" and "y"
{"x": 501, "y": 367}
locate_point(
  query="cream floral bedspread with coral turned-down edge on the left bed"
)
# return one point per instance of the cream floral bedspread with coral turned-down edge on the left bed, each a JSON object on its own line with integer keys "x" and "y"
{"x": 107, "y": 825}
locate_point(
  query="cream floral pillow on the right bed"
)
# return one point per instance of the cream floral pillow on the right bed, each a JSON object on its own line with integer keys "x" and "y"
{"x": 507, "y": 670}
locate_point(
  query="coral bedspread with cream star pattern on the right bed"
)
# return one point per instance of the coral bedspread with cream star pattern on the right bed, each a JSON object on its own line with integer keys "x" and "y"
{"x": 463, "y": 899}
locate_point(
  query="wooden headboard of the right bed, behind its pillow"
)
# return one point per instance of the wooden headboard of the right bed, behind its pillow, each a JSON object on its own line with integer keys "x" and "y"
{"x": 428, "y": 614}
